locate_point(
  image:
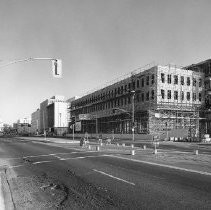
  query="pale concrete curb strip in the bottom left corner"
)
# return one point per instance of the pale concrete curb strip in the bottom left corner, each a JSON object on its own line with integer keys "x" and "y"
{"x": 7, "y": 196}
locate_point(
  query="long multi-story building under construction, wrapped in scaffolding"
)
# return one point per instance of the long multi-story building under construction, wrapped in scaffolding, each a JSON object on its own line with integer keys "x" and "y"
{"x": 158, "y": 100}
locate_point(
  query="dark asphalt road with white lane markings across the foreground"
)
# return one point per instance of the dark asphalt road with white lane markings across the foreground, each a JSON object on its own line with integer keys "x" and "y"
{"x": 49, "y": 176}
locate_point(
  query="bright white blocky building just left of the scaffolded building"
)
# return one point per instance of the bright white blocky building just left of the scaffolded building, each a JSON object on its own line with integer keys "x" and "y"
{"x": 53, "y": 115}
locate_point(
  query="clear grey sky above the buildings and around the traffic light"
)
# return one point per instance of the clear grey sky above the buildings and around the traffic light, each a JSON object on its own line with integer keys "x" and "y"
{"x": 97, "y": 40}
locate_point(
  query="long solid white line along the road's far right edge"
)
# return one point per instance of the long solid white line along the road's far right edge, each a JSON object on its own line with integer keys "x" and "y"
{"x": 162, "y": 165}
